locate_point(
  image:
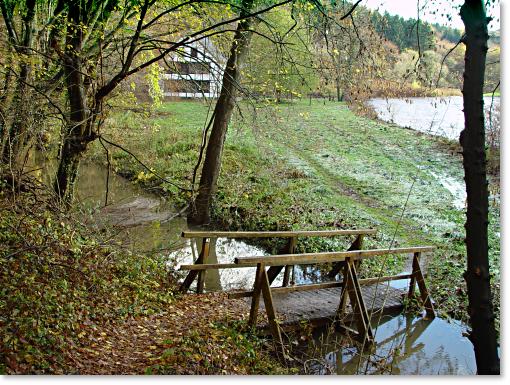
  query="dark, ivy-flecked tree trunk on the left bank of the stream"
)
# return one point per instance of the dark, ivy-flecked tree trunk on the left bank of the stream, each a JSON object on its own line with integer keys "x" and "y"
{"x": 79, "y": 129}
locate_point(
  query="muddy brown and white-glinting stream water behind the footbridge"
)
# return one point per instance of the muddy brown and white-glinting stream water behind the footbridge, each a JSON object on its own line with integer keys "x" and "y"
{"x": 145, "y": 222}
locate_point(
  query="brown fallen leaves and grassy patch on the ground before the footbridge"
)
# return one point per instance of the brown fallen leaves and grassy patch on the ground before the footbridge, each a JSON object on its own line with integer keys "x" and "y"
{"x": 184, "y": 340}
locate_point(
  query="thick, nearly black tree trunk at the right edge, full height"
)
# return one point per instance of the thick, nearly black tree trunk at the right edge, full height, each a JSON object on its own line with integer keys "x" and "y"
{"x": 472, "y": 140}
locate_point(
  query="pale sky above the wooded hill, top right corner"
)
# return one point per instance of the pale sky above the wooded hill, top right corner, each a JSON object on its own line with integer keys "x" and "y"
{"x": 408, "y": 9}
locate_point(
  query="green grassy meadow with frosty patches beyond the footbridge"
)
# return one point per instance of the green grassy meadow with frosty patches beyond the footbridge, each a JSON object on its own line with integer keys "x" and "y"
{"x": 318, "y": 166}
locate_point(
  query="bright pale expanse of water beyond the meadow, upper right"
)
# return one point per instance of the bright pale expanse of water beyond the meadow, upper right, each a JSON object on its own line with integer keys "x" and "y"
{"x": 433, "y": 115}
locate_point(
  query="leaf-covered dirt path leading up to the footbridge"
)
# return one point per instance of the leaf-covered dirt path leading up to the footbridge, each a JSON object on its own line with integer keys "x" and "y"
{"x": 140, "y": 343}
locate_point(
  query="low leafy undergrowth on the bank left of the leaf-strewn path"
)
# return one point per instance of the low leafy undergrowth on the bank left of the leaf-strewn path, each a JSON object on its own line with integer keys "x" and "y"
{"x": 58, "y": 284}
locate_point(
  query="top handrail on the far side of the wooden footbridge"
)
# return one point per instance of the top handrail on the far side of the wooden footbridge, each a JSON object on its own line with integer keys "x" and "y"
{"x": 275, "y": 234}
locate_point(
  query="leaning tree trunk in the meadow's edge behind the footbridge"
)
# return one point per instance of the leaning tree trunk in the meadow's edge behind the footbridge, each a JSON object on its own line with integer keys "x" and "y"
{"x": 200, "y": 213}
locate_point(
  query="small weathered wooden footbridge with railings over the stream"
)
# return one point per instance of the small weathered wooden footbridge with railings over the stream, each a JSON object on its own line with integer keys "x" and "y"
{"x": 345, "y": 299}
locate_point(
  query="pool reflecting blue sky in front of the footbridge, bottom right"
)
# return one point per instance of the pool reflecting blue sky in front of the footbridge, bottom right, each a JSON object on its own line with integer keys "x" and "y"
{"x": 405, "y": 344}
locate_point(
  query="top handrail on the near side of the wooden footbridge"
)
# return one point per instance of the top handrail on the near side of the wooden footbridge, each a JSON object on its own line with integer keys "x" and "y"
{"x": 334, "y": 256}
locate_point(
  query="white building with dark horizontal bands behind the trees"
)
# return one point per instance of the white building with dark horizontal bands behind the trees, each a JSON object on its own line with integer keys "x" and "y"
{"x": 194, "y": 73}
